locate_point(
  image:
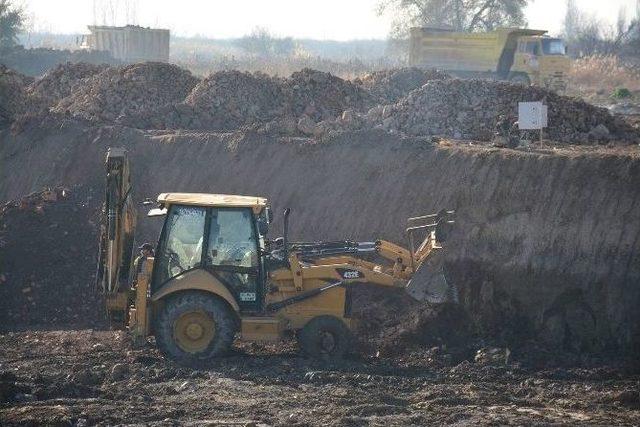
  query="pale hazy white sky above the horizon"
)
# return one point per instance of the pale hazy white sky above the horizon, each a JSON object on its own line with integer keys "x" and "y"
{"x": 321, "y": 19}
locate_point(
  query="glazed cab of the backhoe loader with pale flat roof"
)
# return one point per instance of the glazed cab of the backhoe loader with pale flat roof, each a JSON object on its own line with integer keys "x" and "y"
{"x": 218, "y": 234}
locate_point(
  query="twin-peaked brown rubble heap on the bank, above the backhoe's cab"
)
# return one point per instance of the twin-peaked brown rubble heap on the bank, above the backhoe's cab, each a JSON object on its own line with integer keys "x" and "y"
{"x": 228, "y": 100}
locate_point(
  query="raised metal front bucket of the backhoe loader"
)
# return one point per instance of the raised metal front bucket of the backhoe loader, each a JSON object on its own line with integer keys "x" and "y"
{"x": 429, "y": 283}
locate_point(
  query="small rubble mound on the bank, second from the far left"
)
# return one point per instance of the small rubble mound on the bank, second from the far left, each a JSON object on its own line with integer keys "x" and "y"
{"x": 61, "y": 81}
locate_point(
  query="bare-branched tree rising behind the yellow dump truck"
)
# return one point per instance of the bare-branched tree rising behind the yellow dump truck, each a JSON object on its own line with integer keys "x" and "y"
{"x": 460, "y": 15}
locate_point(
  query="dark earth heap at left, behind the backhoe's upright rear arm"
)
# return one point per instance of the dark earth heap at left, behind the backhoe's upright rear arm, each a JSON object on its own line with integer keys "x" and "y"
{"x": 47, "y": 260}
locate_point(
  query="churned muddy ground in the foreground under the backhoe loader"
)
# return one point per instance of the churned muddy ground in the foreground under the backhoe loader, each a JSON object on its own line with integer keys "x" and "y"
{"x": 88, "y": 377}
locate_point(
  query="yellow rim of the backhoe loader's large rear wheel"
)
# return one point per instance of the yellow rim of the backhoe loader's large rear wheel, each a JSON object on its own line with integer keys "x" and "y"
{"x": 194, "y": 331}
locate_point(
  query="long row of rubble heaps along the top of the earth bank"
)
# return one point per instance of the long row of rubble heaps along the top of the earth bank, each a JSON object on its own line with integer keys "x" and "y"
{"x": 310, "y": 103}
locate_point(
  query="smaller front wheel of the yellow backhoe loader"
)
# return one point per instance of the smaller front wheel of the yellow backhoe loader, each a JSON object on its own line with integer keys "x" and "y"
{"x": 325, "y": 337}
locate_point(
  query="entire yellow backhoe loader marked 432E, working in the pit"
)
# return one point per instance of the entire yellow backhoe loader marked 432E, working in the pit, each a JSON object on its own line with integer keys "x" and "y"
{"x": 215, "y": 274}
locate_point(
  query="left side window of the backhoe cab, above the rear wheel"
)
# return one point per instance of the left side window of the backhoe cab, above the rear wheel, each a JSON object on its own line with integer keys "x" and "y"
{"x": 181, "y": 249}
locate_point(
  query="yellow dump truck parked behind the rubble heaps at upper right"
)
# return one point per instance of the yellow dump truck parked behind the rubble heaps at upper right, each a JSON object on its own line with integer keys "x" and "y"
{"x": 518, "y": 55}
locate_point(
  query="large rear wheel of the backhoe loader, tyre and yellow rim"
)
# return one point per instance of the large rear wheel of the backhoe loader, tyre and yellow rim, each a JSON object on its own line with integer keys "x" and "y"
{"x": 194, "y": 327}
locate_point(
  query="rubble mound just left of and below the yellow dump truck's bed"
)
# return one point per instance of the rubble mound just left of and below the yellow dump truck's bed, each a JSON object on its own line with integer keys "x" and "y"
{"x": 388, "y": 86}
